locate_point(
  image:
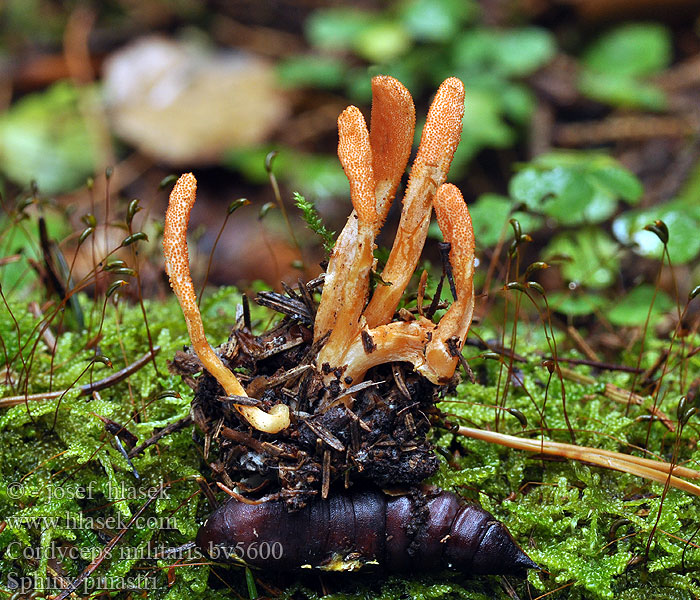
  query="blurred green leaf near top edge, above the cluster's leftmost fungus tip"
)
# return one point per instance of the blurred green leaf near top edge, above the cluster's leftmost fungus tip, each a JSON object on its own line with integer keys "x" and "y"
{"x": 336, "y": 28}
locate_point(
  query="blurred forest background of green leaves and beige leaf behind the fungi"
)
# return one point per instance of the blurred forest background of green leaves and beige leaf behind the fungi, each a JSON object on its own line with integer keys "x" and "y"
{"x": 581, "y": 120}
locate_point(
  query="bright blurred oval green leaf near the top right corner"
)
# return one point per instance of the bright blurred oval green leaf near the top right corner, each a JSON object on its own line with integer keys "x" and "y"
{"x": 633, "y": 50}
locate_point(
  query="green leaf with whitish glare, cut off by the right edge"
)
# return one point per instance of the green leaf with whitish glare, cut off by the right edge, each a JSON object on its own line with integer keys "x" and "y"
{"x": 683, "y": 221}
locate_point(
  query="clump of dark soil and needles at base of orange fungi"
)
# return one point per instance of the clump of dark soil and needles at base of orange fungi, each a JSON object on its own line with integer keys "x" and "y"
{"x": 372, "y": 432}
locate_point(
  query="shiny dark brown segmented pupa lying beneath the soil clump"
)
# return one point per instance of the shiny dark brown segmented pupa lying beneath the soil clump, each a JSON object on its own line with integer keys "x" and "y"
{"x": 349, "y": 530}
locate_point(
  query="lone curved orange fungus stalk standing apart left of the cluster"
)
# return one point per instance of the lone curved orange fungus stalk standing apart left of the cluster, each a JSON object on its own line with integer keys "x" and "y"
{"x": 177, "y": 265}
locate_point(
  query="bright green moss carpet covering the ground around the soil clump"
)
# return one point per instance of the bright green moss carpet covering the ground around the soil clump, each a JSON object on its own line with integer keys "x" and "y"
{"x": 587, "y": 527}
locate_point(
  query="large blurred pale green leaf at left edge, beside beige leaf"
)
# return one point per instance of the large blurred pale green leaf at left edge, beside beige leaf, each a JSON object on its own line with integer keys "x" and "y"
{"x": 44, "y": 137}
